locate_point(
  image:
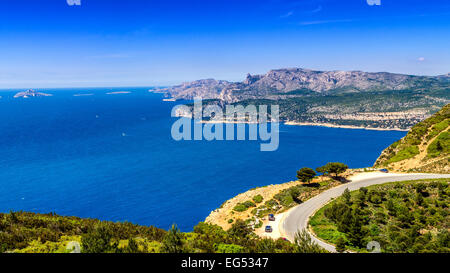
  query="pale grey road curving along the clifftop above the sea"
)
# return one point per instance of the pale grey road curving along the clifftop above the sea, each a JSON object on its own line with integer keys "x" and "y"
{"x": 298, "y": 217}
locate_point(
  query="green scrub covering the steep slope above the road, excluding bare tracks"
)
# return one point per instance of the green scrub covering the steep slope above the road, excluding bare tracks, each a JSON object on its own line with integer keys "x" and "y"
{"x": 433, "y": 128}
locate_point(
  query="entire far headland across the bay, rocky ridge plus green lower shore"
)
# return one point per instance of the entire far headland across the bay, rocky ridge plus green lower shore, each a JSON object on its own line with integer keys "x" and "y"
{"x": 345, "y": 98}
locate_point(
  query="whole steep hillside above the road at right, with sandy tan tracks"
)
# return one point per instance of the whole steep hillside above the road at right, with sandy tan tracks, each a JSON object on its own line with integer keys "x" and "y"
{"x": 426, "y": 147}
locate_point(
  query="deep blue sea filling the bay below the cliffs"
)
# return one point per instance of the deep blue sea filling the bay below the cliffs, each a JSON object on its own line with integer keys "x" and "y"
{"x": 112, "y": 157}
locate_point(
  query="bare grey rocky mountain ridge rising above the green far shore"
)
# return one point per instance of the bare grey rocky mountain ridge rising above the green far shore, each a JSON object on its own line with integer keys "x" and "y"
{"x": 292, "y": 82}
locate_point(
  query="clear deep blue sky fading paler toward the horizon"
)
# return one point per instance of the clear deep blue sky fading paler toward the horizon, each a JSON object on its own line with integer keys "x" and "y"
{"x": 48, "y": 43}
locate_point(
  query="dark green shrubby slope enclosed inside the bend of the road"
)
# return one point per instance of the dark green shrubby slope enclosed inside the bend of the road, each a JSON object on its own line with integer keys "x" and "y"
{"x": 410, "y": 216}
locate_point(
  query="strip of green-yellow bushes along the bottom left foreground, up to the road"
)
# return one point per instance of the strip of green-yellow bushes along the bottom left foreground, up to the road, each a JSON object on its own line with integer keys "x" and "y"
{"x": 50, "y": 233}
